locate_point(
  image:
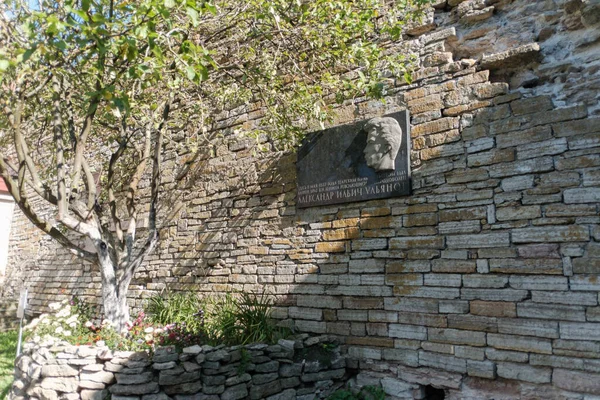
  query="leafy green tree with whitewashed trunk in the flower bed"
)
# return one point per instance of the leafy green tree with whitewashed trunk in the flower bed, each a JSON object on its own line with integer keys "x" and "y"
{"x": 94, "y": 90}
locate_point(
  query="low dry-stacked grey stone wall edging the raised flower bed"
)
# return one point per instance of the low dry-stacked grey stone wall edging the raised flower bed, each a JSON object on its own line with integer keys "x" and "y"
{"x": 303, "y": 369}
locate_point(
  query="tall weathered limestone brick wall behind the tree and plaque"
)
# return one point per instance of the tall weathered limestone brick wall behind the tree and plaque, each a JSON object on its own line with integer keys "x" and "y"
{"x": 485, "y": 281}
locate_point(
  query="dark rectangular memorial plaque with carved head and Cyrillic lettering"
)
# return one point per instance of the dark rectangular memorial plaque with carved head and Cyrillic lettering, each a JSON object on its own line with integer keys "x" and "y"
{"x": 366, "y": 160}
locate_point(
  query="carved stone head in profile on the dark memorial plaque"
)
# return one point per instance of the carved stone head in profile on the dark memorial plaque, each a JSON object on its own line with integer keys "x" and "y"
{"x": 384, "y": 137}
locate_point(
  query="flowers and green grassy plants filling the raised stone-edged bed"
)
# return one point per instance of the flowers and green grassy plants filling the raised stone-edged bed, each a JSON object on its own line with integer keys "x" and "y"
{"x": 180, "y": 319}
